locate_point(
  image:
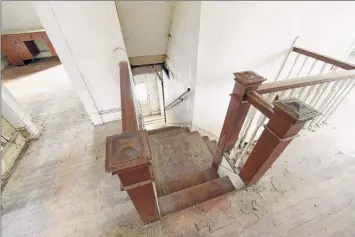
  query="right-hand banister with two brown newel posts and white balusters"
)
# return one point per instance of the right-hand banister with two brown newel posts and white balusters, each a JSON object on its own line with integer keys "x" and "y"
{"x": 283, "y": 107}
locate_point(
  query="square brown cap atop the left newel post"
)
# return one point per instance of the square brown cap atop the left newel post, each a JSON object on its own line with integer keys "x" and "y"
{"x": 127, "y": 151}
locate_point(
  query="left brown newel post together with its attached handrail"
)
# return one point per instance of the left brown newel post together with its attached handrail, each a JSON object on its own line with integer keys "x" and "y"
{"x": 128, "y": 154}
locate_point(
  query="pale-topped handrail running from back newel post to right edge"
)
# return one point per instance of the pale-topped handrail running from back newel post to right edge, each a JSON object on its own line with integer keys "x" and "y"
{"x": 304, "y": 81}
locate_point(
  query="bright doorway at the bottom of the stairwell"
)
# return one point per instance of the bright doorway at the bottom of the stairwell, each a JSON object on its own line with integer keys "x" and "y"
{"x": 149, "y": 94}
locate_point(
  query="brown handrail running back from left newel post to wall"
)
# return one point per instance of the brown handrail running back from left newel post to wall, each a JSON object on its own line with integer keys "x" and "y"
{"x": 128, "y": 110}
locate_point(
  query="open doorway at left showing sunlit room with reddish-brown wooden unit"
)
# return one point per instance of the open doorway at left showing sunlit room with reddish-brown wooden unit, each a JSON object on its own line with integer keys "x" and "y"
{"x": 31, "y": 70}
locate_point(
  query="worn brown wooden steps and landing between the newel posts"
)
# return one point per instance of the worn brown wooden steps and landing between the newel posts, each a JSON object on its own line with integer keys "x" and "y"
{"x": 182, "y": 167}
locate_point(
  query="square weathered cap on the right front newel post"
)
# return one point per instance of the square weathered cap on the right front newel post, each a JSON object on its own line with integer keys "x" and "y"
{"x": 294, "y": 110}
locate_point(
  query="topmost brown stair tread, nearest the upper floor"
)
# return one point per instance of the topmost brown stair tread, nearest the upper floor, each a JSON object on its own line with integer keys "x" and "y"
{"x": 194, "y": 195}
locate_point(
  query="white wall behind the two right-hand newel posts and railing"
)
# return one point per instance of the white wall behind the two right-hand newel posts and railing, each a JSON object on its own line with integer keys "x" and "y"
{"x": 238, "y": 36}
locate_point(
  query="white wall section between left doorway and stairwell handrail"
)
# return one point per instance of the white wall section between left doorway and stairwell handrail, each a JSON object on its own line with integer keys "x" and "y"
{"x": 88, "y": 40}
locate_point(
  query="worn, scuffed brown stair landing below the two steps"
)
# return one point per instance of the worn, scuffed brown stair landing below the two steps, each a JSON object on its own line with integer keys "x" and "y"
{"x": 177, "y": 152}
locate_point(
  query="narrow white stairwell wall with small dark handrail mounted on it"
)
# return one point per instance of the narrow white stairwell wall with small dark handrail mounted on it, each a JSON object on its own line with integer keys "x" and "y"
{"x": 182, "y": 60}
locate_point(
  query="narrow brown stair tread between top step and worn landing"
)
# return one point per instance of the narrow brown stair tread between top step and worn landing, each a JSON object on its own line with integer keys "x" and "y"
{"x": 186, "y": 181}
